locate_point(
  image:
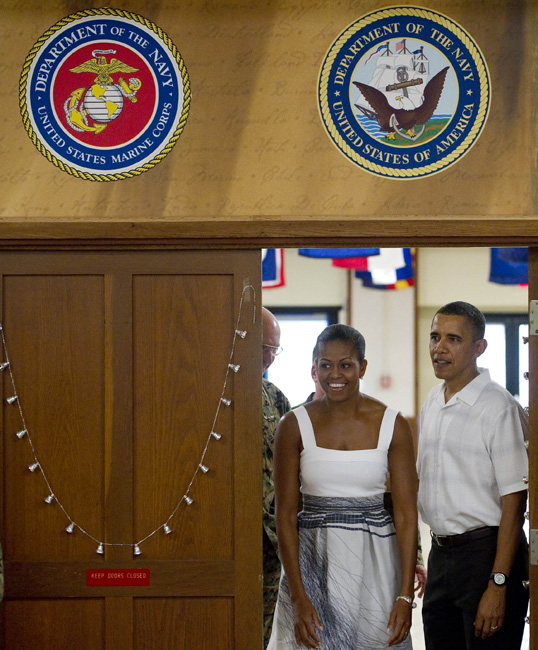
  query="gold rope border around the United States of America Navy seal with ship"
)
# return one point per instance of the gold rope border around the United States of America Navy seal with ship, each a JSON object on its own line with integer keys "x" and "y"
{"x": 483, "y": 107}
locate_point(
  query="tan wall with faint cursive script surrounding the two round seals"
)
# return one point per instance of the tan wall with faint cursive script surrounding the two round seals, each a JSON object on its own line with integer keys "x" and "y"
{"x": 254, "y": 162}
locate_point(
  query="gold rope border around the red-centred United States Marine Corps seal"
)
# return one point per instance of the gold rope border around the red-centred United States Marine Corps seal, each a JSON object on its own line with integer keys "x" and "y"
{"x": 24, "y": 109}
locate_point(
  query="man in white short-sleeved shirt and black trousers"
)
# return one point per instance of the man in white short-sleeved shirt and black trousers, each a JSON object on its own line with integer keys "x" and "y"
{"x": 473, "y": 467}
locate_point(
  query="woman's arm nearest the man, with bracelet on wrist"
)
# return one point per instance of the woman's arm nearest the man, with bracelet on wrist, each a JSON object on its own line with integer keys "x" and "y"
{"x": 404, "y": 484}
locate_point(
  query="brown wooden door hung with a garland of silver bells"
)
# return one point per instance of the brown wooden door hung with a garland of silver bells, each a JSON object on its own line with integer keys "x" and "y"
{"x": 119, "y": 361}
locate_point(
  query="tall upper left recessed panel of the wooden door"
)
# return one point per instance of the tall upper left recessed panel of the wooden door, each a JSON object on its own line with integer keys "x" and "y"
{"x": 53, "y": 327}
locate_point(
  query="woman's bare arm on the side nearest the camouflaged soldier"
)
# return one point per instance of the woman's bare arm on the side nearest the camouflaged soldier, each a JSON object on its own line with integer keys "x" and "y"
{"x": 286, "y": 477}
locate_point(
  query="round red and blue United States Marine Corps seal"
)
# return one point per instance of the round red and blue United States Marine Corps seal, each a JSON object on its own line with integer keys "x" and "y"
{"x": 104, "y": 94}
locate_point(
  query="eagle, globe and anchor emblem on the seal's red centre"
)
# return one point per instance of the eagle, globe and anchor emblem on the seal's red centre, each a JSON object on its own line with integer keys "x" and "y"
{"x": 103, "y": 102}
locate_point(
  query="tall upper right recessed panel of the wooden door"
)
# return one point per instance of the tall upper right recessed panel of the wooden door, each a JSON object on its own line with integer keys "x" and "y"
{"x": 186, "y": 346}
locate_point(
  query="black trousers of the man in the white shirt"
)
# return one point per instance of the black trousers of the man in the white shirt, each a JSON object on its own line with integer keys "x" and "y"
{"x": 457, "y": 578}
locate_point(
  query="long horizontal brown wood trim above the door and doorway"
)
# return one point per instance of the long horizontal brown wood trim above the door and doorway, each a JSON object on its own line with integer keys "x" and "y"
{"x": 271, "y": 231}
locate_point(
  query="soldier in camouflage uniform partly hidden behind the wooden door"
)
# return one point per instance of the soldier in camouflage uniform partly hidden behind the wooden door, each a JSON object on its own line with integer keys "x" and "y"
{"x": 274, "y": 406}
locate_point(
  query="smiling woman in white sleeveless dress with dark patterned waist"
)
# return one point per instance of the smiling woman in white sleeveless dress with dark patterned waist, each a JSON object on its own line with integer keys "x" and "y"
{"x": 348, "y": 566}
